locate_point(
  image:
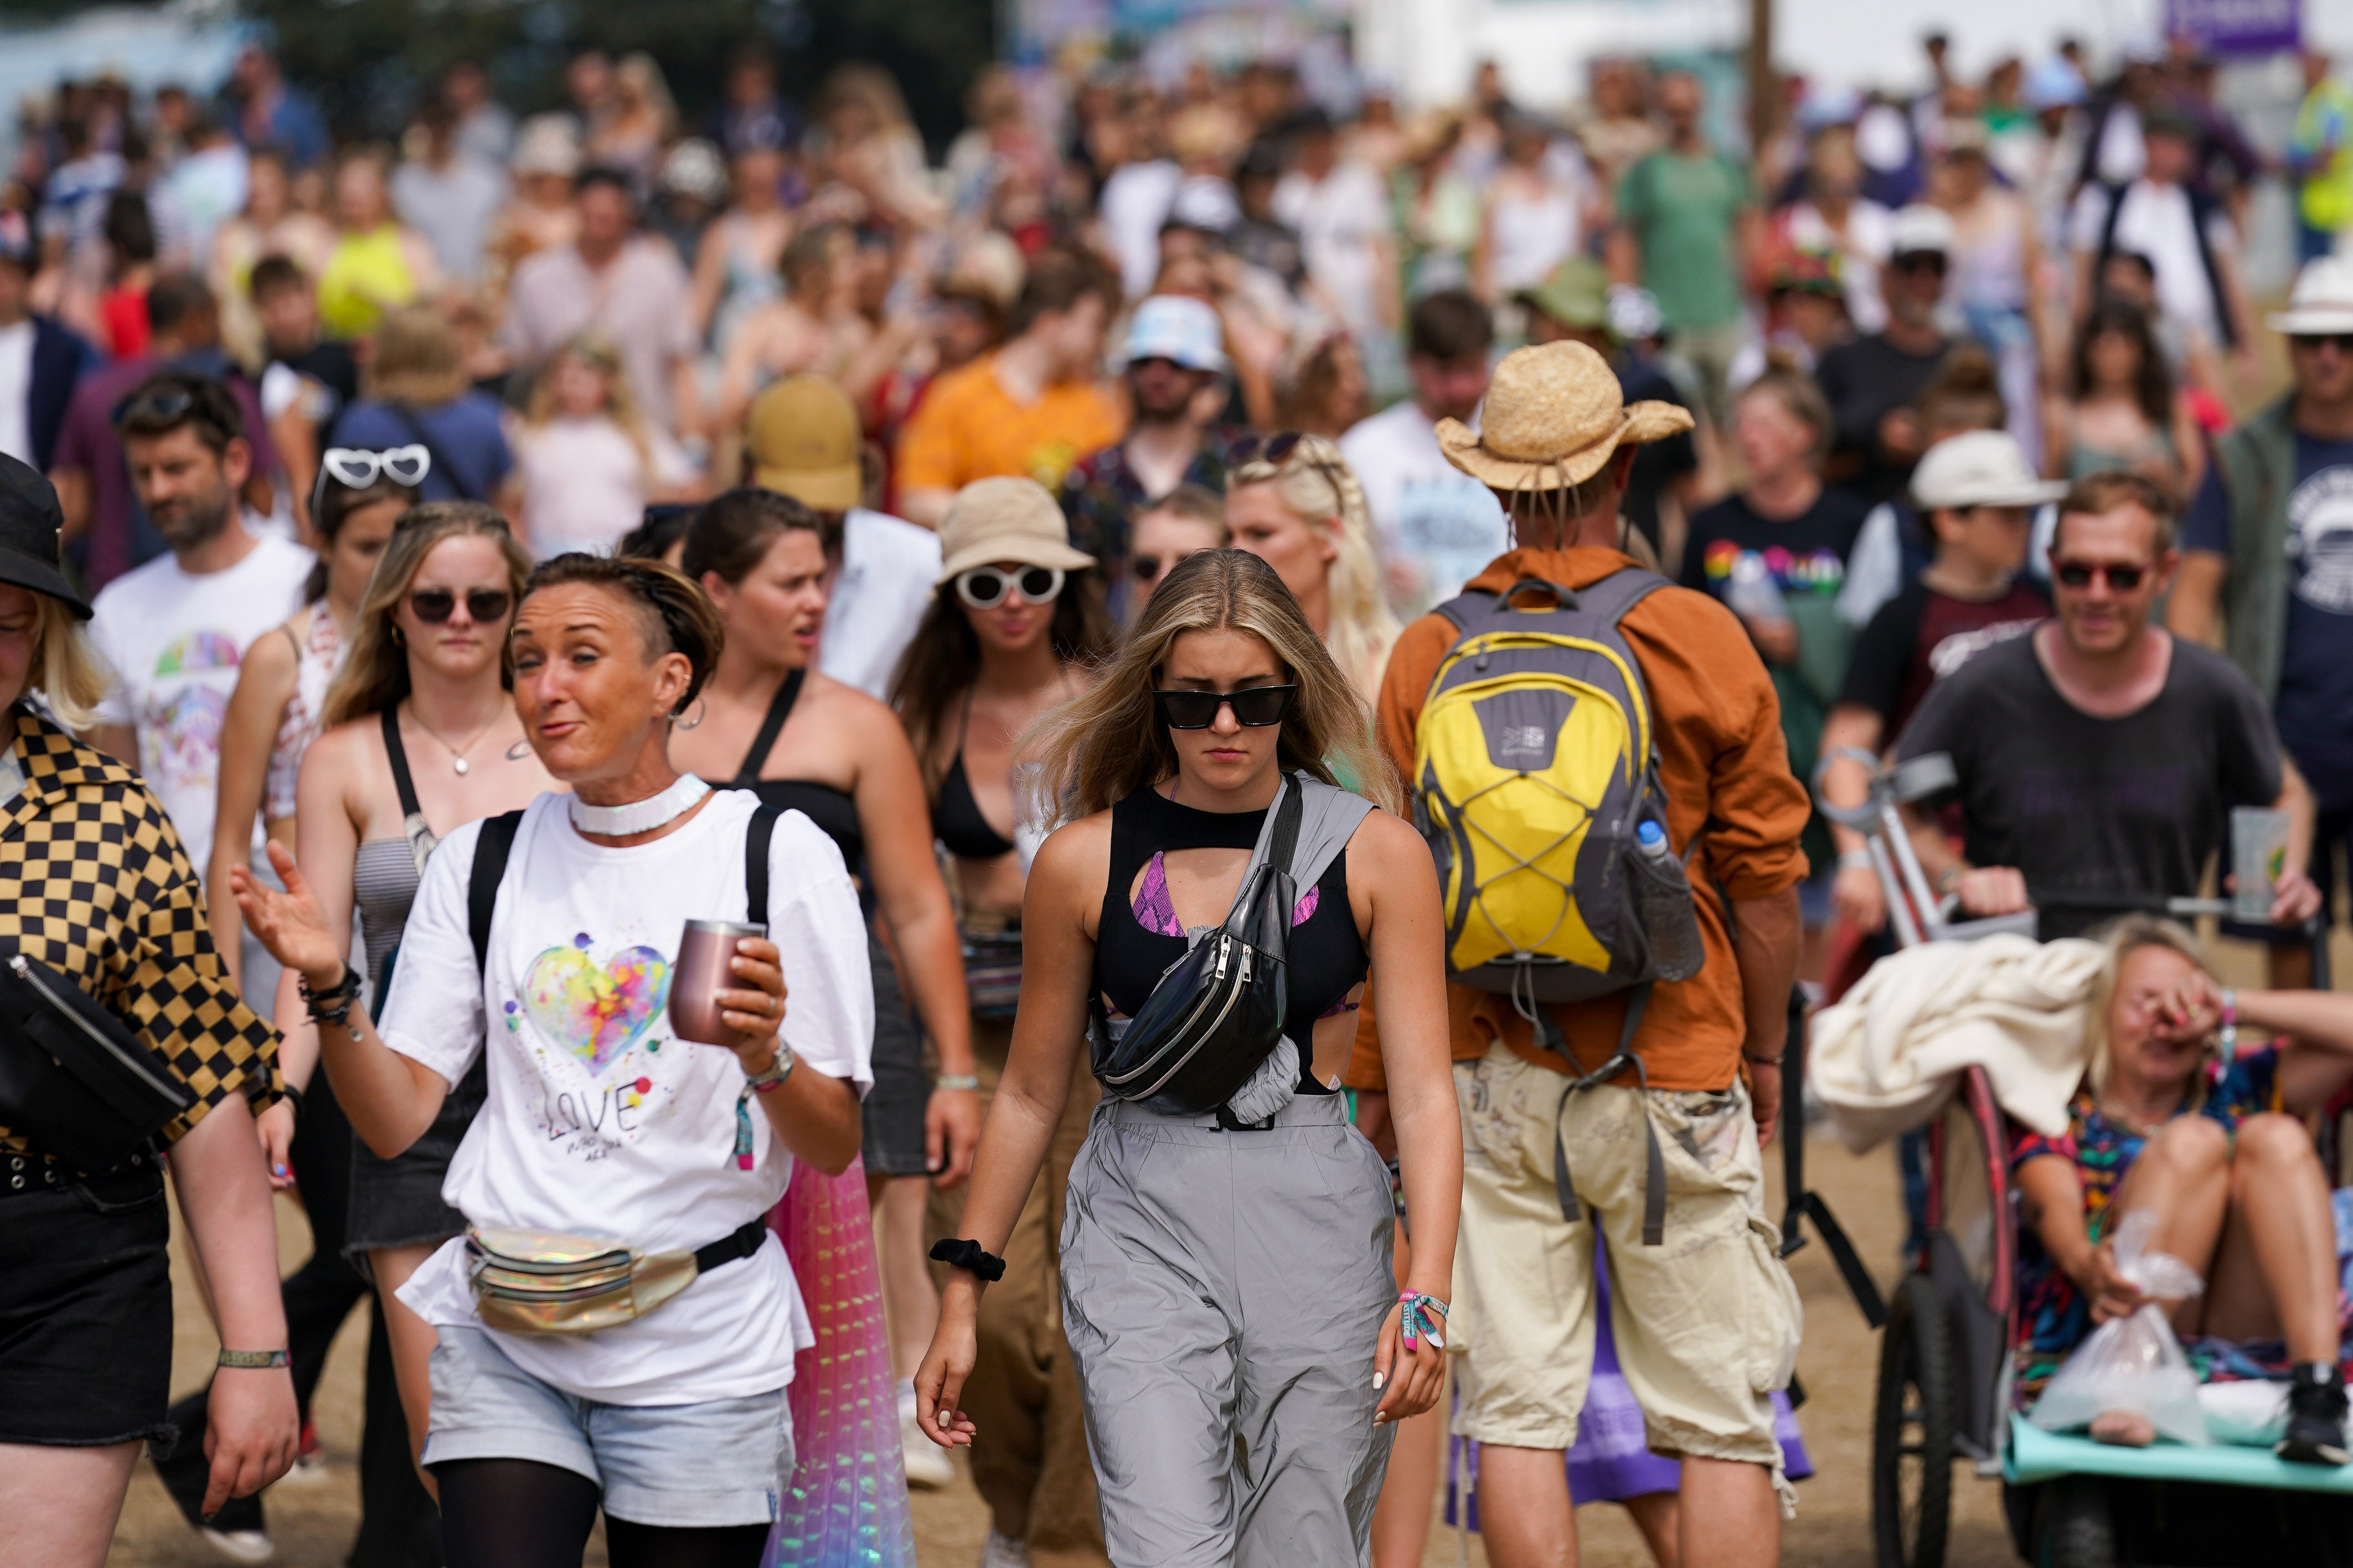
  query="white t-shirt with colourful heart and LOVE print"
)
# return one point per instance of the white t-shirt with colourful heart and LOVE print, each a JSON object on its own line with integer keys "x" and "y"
{"x": 599, "y": 1123}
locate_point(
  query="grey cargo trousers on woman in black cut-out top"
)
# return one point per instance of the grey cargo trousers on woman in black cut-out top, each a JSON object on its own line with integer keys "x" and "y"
{"x": 1222, "y": 1296}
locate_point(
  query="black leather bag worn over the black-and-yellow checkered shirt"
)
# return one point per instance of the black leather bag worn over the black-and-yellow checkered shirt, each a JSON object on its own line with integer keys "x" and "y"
{"x": 72, "y": 1078}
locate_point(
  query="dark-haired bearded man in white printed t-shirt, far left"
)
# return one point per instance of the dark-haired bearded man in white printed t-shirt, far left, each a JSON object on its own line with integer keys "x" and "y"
{"x": 178, "y": 629}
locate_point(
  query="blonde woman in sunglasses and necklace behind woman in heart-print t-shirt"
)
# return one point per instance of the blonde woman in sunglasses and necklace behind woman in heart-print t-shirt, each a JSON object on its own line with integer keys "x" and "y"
{"x": 420, "y": 737}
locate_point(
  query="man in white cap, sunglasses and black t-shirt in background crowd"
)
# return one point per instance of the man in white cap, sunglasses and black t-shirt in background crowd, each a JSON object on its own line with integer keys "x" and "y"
{"x": 1877, "y": 380}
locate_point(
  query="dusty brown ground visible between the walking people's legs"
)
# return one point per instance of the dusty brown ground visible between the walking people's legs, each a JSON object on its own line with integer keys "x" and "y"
{"x": 1839, "y": 1367}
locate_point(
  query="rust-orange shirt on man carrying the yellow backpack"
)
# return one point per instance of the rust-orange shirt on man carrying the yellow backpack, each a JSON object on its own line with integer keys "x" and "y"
{"x": 1728, "y": 784}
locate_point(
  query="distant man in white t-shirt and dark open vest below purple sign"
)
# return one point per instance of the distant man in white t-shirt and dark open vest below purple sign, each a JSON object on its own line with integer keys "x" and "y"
{"x": 2187, "y": 239}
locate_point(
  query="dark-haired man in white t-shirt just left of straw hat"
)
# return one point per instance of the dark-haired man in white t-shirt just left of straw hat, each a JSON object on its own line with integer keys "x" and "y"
{"x": 1437, "y": 525}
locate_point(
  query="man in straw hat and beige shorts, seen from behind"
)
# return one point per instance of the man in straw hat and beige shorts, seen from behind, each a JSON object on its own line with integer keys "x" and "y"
{"x": 1707, "y": 1322}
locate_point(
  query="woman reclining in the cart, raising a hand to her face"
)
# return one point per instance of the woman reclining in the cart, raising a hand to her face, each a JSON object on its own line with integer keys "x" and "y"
{"x": 2187, "y": 1118}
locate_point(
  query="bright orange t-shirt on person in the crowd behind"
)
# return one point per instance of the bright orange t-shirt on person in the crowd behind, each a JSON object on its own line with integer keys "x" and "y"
{"x": 971, "y": 429}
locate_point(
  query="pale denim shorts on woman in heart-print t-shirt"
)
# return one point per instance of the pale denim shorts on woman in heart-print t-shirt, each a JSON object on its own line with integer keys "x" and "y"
{"x": 716, "y": 1463}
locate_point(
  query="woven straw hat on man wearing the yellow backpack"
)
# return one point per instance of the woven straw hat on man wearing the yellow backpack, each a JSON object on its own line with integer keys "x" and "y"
{"x": 1552, "y": 420}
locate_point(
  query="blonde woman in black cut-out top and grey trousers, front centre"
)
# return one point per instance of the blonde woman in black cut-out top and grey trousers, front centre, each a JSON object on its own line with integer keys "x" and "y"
{"x": 1227, "y": 1254}
